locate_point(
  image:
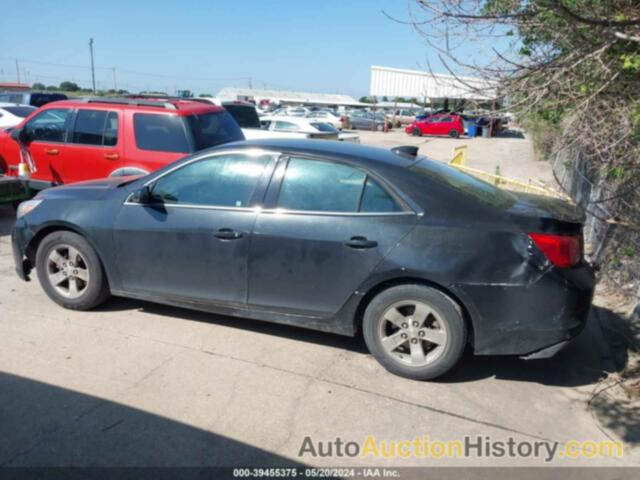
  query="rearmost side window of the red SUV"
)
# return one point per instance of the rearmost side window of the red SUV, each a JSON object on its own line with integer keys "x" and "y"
{"x": 160, "y": 133}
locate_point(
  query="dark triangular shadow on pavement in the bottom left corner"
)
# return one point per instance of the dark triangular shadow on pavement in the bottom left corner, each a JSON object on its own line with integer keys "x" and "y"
{"x": 45, "y": 425}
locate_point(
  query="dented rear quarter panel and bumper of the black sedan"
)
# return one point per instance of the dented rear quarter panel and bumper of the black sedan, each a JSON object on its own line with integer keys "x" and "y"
{"x": 515, "y": 301}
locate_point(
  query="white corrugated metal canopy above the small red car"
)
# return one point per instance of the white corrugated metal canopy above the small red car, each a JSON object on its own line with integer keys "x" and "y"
{"x": 428, "y": 87}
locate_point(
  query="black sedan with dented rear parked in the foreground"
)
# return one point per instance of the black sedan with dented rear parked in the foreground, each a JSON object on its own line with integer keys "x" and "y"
{"x": 423, "y": 259}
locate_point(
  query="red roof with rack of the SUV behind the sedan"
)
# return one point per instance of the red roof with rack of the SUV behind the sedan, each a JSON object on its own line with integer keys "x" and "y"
{"x": 180, "y": 107}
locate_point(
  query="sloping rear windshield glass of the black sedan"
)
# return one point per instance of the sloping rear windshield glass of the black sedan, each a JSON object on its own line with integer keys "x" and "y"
{"x": 464, "y": 183}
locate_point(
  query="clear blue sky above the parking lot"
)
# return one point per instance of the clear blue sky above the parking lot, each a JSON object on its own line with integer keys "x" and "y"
{"x": 205, "y": 45}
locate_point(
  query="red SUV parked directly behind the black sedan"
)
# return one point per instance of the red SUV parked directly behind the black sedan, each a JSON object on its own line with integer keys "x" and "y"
{"x": 74, "y": 140}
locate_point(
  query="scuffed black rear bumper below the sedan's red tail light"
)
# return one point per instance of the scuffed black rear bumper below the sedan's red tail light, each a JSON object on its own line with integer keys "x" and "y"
{"x": 536, "y": 320}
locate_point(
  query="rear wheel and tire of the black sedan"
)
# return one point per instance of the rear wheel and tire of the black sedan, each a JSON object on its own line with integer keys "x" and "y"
{"x": 442, "y": 323}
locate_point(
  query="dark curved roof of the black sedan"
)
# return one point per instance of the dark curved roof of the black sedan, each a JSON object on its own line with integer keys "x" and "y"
{"x": 353, "y": 152}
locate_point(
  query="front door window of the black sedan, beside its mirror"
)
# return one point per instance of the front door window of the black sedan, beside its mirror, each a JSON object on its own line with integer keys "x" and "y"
{"x": 220, "y": 181}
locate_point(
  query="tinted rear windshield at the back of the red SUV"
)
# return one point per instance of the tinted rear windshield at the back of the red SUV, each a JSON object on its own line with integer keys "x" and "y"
{"x": 211, "y": 129}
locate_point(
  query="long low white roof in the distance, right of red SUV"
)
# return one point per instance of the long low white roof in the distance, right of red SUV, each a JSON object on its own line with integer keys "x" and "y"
{"x": 232, "y": 93}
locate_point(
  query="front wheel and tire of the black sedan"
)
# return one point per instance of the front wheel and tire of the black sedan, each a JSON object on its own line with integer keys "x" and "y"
{"x": 85, "y": 271}
